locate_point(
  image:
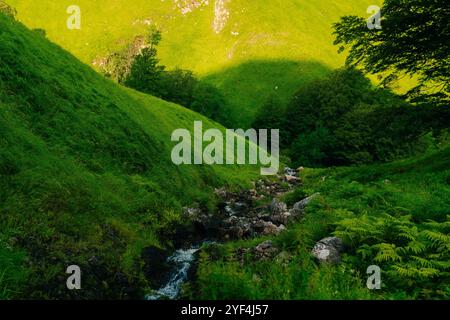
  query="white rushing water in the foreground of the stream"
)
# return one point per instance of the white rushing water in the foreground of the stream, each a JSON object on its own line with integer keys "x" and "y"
{"x": 182, "y": 260}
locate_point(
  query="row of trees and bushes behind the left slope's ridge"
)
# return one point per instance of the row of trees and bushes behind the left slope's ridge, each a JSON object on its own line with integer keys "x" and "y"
{"x": 137, "y": 66}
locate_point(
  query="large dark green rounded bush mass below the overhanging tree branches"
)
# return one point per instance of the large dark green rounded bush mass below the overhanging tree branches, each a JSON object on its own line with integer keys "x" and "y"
{"x": 344, "y": 120}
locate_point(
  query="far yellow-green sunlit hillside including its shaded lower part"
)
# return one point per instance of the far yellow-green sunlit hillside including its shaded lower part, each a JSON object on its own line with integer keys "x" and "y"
{"x": 264, "y": 48}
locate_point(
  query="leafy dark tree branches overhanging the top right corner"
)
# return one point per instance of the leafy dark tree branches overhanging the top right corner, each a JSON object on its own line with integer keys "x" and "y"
{"x": 414, "y": 41}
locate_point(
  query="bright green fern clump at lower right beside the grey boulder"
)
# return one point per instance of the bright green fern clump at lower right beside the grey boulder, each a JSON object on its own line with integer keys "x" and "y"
{"x": 411, "y": 256}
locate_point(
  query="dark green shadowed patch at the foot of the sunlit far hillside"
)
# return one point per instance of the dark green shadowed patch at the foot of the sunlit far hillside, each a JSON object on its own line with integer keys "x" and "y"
{"x": 249, "y": 85}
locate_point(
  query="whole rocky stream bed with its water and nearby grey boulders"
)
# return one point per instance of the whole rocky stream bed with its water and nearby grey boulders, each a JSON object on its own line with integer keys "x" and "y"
{"x": 238, "y": 217}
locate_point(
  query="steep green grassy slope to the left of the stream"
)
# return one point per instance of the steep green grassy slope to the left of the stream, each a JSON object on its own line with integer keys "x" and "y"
{"x": 85, "y": 172}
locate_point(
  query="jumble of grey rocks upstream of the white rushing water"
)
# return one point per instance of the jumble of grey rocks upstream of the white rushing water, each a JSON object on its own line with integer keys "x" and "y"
{"x": 239, "y": 218}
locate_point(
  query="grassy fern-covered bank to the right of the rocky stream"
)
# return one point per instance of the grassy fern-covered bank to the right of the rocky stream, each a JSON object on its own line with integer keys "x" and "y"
{"x": 382, "y": 212}
